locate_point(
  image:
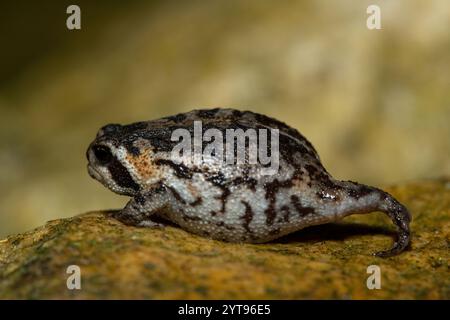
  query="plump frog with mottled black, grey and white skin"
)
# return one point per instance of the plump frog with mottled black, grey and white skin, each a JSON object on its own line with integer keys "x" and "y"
{"x": 233, "y": 203}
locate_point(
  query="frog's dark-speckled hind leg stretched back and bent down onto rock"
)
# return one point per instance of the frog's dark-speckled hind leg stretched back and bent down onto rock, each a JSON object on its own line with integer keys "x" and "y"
{"x": 365, "y": 199}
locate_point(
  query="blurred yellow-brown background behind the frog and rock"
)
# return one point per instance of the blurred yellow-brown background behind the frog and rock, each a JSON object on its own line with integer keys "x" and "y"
{"x": 375, "y": 103}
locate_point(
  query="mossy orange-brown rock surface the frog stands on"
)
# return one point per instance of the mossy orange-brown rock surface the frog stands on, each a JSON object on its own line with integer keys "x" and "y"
{"x": 328, "y": 261}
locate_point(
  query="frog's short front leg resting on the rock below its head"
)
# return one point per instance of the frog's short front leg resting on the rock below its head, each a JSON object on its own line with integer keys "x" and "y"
{"x": 142, "y": 207}
